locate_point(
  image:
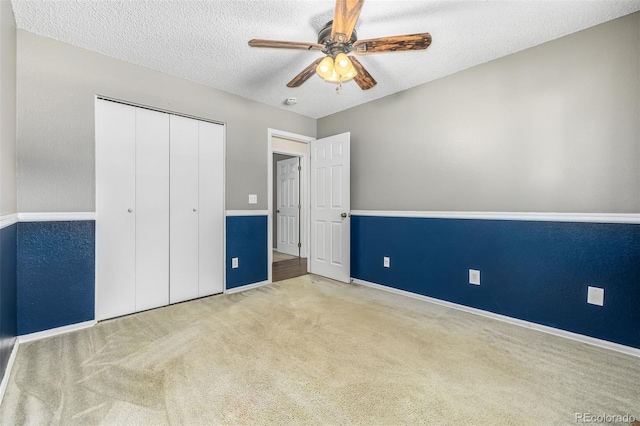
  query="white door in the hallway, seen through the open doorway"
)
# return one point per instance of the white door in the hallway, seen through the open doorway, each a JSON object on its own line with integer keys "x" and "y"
{"x": 288, "y": 206}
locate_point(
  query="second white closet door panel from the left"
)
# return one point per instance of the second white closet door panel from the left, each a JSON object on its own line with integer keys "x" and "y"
{"x": 152, "y": 209}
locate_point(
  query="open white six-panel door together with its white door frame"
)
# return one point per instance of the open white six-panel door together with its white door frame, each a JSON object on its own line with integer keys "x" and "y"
{"x": 324, "y": 200}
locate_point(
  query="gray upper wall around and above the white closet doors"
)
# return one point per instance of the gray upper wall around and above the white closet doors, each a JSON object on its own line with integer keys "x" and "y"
{"x": 57, "y": 83}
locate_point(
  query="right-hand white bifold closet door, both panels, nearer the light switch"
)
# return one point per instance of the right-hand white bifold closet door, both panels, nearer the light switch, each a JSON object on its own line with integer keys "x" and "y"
{"x": 197, "y": 209}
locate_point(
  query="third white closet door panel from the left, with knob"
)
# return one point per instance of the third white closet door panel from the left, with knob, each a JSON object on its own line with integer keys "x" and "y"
{"x": 183, "y": 209}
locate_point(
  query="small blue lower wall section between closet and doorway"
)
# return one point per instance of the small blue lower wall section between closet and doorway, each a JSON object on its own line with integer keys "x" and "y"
{"x": 247, "y": 240}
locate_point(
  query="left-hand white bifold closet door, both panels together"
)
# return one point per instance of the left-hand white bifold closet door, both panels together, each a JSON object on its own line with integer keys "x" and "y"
{"x": 132, "y": 209}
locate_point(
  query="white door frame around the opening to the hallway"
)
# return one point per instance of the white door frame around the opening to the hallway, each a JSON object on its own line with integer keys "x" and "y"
{"x": 305, "y": 184}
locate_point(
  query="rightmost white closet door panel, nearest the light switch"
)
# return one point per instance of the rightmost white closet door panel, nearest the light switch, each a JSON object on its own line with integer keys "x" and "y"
{"x": 211, "y": 200}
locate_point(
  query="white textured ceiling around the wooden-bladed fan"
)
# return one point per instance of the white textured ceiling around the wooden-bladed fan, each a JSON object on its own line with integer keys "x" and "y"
{"x": 206, "y": 41}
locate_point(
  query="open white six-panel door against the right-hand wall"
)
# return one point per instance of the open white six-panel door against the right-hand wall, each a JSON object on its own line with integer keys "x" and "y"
{"x": 330, "y": 207}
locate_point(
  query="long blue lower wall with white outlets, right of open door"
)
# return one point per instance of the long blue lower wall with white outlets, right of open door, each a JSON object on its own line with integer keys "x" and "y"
{"x": 534, "y": 271}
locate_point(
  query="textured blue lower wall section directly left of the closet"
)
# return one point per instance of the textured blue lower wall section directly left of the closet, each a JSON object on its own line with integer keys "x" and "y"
{"x": 56, "y": 274}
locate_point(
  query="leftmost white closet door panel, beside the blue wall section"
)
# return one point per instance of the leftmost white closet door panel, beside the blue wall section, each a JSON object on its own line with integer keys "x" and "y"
{"x": 115, "y": 209}
